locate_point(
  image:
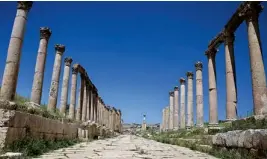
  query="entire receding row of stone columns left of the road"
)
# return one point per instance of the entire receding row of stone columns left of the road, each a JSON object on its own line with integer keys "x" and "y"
{"x": 90, "y": 106}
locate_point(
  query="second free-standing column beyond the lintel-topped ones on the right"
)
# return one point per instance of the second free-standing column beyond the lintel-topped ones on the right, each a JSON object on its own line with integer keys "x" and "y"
{"x": 190, "y": 115}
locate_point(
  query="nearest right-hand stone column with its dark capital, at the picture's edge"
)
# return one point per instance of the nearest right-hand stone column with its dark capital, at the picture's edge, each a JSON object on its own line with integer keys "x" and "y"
{"x": 251, "y": 14}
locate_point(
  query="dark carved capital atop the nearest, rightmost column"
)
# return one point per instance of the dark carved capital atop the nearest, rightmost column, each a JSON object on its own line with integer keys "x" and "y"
{"x": 250, "y": 11}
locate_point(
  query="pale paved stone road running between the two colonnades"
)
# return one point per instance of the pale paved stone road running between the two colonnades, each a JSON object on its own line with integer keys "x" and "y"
{"x": 125, "y": 147}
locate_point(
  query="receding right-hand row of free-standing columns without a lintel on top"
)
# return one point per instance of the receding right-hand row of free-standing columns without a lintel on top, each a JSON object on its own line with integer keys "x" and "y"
{"x": 173, "y": 116}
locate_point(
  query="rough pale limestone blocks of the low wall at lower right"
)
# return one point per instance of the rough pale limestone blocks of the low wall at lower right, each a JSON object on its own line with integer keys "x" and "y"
{"x": 251, "y": 138}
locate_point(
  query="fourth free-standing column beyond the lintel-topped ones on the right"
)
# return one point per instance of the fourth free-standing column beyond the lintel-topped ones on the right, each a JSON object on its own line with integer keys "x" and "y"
{"x": 176, "y": 108}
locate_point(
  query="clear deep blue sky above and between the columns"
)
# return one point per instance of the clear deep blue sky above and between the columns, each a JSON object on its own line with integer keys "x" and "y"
{"x": 134, "y": 52}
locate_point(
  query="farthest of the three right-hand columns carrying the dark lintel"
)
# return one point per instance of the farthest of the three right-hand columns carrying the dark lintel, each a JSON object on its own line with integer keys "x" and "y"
{"x": 213, "y": 120}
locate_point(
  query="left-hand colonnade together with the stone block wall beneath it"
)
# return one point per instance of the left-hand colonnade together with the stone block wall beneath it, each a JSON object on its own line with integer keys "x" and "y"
{"x": 89, "y": 118}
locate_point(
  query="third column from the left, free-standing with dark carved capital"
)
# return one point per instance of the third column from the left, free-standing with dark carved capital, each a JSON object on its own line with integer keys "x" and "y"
{"x": 52, "y": 101}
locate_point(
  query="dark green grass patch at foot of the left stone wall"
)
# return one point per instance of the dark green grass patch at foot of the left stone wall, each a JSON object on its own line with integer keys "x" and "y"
{"x": 35, "y": 147}
